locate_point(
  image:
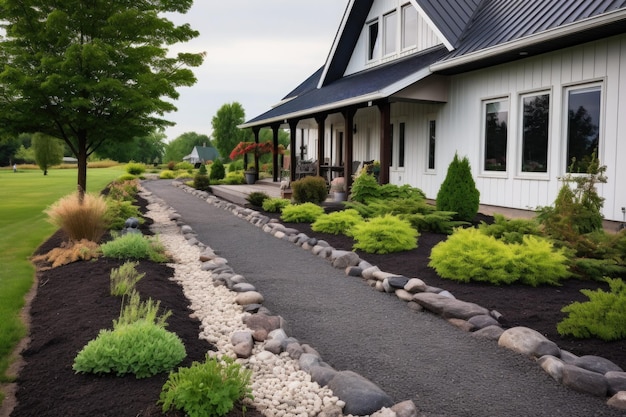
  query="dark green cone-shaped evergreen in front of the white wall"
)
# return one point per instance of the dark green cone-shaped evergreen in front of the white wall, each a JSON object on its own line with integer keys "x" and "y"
{"x": 458, "y": 192}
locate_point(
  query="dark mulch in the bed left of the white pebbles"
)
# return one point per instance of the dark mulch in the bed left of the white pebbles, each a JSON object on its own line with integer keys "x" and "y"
{"x": 71, "y": 305}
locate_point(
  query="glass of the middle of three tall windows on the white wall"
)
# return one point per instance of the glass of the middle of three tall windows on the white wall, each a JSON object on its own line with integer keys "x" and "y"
{"x": 535, "y": 131}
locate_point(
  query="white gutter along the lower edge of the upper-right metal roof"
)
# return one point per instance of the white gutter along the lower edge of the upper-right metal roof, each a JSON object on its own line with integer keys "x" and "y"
{"x": 551, "y": 34}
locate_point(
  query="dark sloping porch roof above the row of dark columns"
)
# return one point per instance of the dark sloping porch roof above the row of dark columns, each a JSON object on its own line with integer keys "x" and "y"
{"x": 357, "y": 85}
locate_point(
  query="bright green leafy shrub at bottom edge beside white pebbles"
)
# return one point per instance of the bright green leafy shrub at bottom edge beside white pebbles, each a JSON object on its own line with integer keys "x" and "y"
{"x": 208, "y": 389}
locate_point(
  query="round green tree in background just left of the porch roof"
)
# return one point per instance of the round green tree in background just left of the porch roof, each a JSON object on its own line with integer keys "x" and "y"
{"x": 226, "y": 134}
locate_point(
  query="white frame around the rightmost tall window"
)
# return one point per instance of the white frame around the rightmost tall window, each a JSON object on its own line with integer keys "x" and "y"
{"x": 567, "y": 89}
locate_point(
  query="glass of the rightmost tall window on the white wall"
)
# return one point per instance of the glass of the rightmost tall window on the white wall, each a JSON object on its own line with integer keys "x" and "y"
{"x": 583, "y": 126}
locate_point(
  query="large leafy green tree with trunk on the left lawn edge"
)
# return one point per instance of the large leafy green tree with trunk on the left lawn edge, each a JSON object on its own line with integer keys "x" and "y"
{"x": 91, "y": 71}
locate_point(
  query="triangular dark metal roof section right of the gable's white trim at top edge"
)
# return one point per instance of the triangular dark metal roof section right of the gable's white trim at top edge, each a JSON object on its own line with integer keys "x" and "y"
{"x": 451, "y": 16}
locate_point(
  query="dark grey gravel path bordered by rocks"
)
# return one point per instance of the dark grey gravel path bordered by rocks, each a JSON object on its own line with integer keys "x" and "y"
{"x": 411, "y": 356}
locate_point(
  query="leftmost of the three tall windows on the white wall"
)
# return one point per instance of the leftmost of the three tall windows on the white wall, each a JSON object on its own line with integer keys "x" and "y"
{"x": 496, "y": 119}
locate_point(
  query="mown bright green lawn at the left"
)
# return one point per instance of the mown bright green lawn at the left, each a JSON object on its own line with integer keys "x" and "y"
{"x": 23, "y": 227}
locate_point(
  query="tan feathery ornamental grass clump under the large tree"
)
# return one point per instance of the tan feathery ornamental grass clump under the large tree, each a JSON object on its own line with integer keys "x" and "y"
{"x": 80, "y": 220}
